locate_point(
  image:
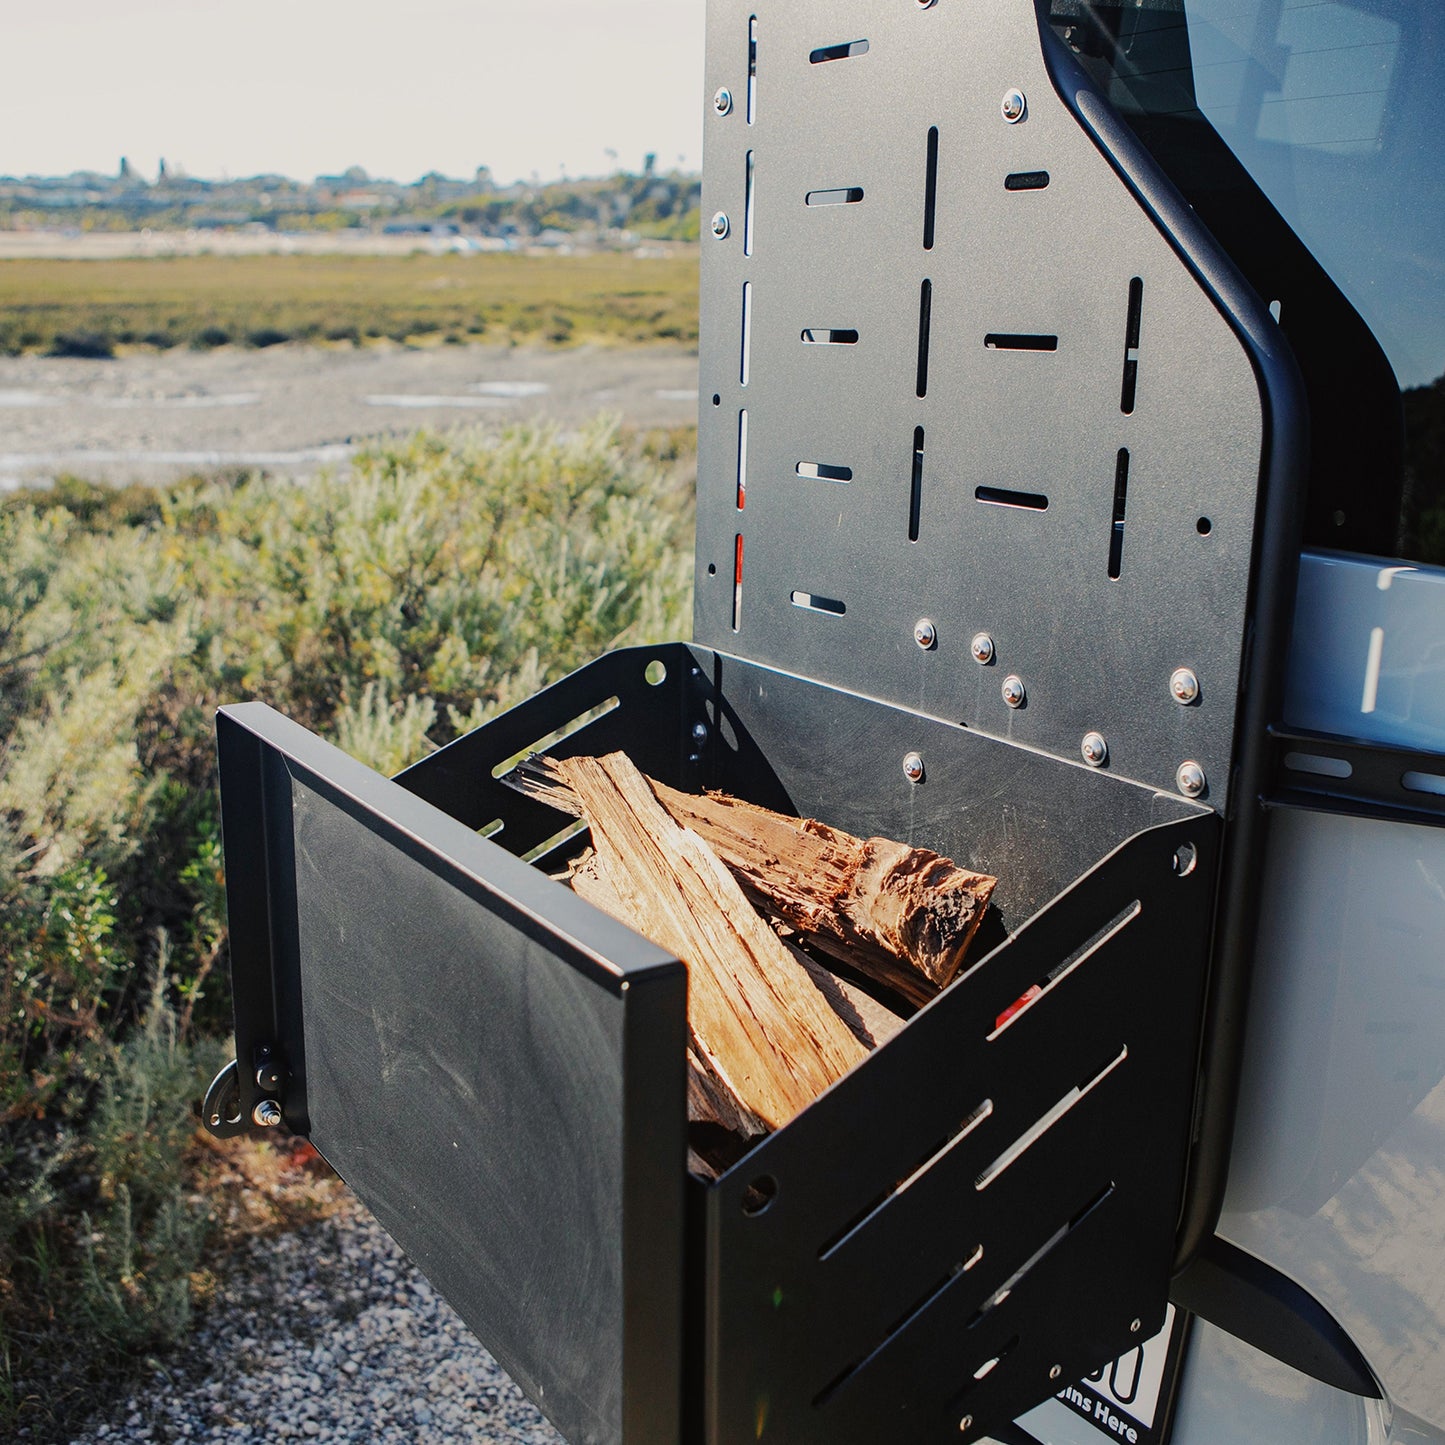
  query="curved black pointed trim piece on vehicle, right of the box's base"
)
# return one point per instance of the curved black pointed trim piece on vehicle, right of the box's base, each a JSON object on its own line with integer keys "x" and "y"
{"x": 1265, "y": 1308}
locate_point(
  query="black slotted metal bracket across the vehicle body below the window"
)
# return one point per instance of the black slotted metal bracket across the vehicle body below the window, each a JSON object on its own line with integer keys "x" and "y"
{"x": 1343, "y": 775}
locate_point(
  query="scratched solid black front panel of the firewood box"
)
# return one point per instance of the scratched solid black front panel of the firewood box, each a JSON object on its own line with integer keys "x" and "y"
{"x": 495, "y": 1067}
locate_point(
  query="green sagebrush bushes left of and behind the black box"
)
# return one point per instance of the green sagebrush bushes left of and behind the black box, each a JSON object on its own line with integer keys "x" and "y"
{"x": 441, "y": 582}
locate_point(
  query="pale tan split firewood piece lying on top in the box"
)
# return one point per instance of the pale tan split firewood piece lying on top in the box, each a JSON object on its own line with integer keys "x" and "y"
{"x": 755, "y": 1014}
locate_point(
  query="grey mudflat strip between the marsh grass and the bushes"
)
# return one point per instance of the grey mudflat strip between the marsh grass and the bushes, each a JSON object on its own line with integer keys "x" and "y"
{"x": 293, "y": 410}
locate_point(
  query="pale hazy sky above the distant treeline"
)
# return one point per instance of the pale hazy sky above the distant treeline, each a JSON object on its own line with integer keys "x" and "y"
{"x": 307, "y": 87}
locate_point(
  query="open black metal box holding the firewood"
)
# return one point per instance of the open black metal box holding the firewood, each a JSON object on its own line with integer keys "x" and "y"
{"x": 498, "y": 1069}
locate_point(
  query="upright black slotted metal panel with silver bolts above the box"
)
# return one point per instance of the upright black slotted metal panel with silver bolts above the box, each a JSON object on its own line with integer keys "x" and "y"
{"x": 954, "y": 371}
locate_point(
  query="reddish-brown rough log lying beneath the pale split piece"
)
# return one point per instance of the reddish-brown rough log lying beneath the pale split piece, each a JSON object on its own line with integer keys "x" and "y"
{"x": 904, "y": 917}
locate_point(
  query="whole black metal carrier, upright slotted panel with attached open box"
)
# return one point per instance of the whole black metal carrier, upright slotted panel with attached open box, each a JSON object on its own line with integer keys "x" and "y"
{"x": 996, "y": 463}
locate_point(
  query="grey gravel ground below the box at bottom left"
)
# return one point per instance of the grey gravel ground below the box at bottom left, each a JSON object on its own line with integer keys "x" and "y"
{"x": 327, "y": 1334}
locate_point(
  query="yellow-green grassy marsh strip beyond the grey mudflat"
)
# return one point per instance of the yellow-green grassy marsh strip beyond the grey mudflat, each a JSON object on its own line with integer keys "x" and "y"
{"x": 96, "y": 309}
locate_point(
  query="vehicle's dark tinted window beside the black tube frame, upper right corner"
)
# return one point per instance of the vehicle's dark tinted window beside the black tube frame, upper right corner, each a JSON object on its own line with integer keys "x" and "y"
{"x": 1307, "y": 134}
